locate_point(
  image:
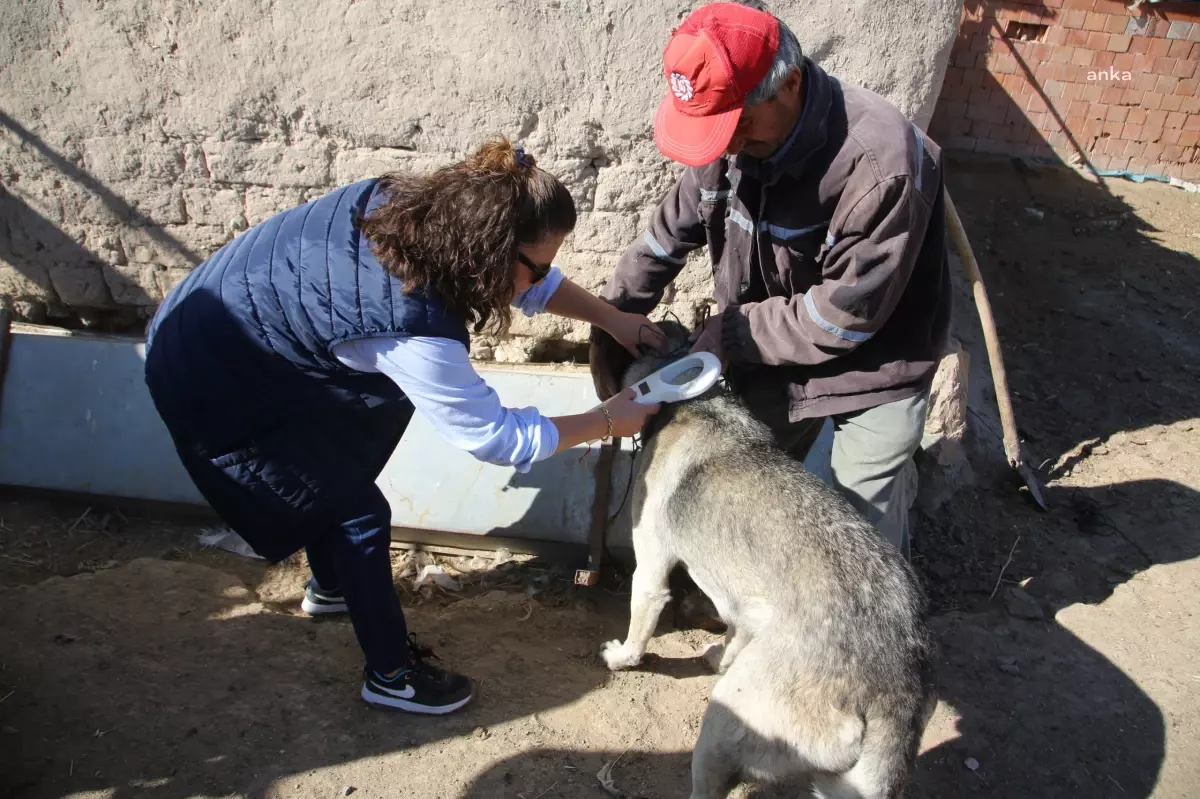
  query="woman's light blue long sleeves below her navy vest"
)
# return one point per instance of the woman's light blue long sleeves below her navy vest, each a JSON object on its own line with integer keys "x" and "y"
{"x": 439, "y": 377}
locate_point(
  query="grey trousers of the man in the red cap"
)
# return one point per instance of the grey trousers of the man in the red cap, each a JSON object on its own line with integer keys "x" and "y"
{"x": 872, "y": 459}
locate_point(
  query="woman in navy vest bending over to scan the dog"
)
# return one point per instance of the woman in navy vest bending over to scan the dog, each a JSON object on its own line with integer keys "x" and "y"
{"x": 289, "y": 365}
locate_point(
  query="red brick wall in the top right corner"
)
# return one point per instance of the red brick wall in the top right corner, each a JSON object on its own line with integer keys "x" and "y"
{"x": 1089, "y": 80}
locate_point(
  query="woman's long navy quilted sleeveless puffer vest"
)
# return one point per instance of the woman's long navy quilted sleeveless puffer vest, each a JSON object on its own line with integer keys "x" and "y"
{"x": 274, "y": 430}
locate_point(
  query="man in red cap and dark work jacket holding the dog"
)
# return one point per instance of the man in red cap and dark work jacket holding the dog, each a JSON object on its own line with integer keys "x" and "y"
{"x": 821, "y": 208}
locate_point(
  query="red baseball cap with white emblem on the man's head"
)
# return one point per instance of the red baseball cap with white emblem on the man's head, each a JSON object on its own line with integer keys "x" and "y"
{"x": 715, "y": 59}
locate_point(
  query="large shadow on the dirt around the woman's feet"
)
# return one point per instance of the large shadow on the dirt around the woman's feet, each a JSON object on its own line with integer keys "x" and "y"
{"x": 170, "y": 680}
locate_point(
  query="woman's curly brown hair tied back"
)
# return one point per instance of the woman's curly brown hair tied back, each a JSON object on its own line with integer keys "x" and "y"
{"x": 455, "y": 232}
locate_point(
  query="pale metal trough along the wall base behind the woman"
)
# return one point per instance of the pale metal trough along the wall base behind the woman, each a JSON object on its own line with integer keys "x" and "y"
{"x": 76, "y": 418}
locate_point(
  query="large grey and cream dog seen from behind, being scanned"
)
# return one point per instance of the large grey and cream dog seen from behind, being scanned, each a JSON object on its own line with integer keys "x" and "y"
{"x": 827, "y": 663}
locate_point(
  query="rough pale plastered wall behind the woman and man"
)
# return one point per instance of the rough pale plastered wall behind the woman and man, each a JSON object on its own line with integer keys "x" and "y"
{"x": 139, "y": 136}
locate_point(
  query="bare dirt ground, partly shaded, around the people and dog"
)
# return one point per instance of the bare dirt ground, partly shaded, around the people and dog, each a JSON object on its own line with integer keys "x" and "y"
{"x": 134, "y": 663}
